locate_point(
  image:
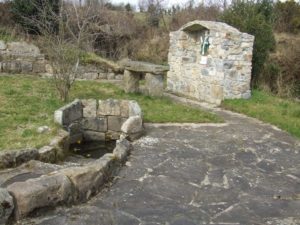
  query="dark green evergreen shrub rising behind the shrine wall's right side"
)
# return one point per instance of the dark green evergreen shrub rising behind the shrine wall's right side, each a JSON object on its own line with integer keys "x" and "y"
{"x": 255, "y": 18}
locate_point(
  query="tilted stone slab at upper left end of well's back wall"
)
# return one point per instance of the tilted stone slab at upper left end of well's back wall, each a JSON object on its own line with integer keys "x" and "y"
{"x": 69, "y": 113}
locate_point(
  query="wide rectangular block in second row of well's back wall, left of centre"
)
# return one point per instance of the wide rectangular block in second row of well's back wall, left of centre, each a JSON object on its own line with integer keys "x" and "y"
{"x": 99, "y": 124}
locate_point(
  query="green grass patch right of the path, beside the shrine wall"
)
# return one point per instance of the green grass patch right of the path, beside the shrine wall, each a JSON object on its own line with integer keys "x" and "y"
{"x": 283, "y": 113}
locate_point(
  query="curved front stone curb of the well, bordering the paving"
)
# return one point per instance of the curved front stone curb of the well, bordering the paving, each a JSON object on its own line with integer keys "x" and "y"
{"x": 65, "y": 186}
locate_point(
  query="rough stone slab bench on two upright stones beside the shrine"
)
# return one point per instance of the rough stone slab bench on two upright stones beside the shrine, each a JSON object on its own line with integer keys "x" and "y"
{"x": 154, "y": 76}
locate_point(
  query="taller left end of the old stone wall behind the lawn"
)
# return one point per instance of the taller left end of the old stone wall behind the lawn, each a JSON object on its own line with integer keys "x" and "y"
{"x": 21, "y": 57}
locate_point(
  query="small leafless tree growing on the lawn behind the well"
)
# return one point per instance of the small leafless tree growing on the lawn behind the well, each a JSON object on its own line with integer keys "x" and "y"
{"x": 63, "y": 46}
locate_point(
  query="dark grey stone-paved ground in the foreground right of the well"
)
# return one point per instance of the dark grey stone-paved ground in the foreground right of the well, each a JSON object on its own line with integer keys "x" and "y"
{"x": 240, "y": 172}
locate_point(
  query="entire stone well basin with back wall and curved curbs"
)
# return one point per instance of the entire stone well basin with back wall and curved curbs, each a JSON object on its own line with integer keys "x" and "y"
{"x": 35, "y": 182}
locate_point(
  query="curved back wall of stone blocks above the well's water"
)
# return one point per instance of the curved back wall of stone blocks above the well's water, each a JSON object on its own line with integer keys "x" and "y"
{"x": 93, "y": 120}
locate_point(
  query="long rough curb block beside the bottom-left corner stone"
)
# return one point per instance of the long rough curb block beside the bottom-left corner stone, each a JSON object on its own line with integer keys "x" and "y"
{"x": 40, "y": 192}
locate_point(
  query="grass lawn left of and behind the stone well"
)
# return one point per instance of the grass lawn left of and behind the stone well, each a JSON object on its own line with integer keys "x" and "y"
{"x": 29, "y": 102}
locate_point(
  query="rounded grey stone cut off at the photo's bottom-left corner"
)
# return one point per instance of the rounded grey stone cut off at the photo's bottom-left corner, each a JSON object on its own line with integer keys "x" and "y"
{"x": 6, "y": 205}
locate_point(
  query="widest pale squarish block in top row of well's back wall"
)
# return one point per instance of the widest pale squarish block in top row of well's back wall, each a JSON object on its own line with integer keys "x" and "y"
{"x": 109, "y": 107}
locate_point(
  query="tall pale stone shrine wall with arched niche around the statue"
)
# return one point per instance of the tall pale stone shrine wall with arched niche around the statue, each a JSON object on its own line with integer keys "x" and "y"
{"x": 222, "y": 72}
